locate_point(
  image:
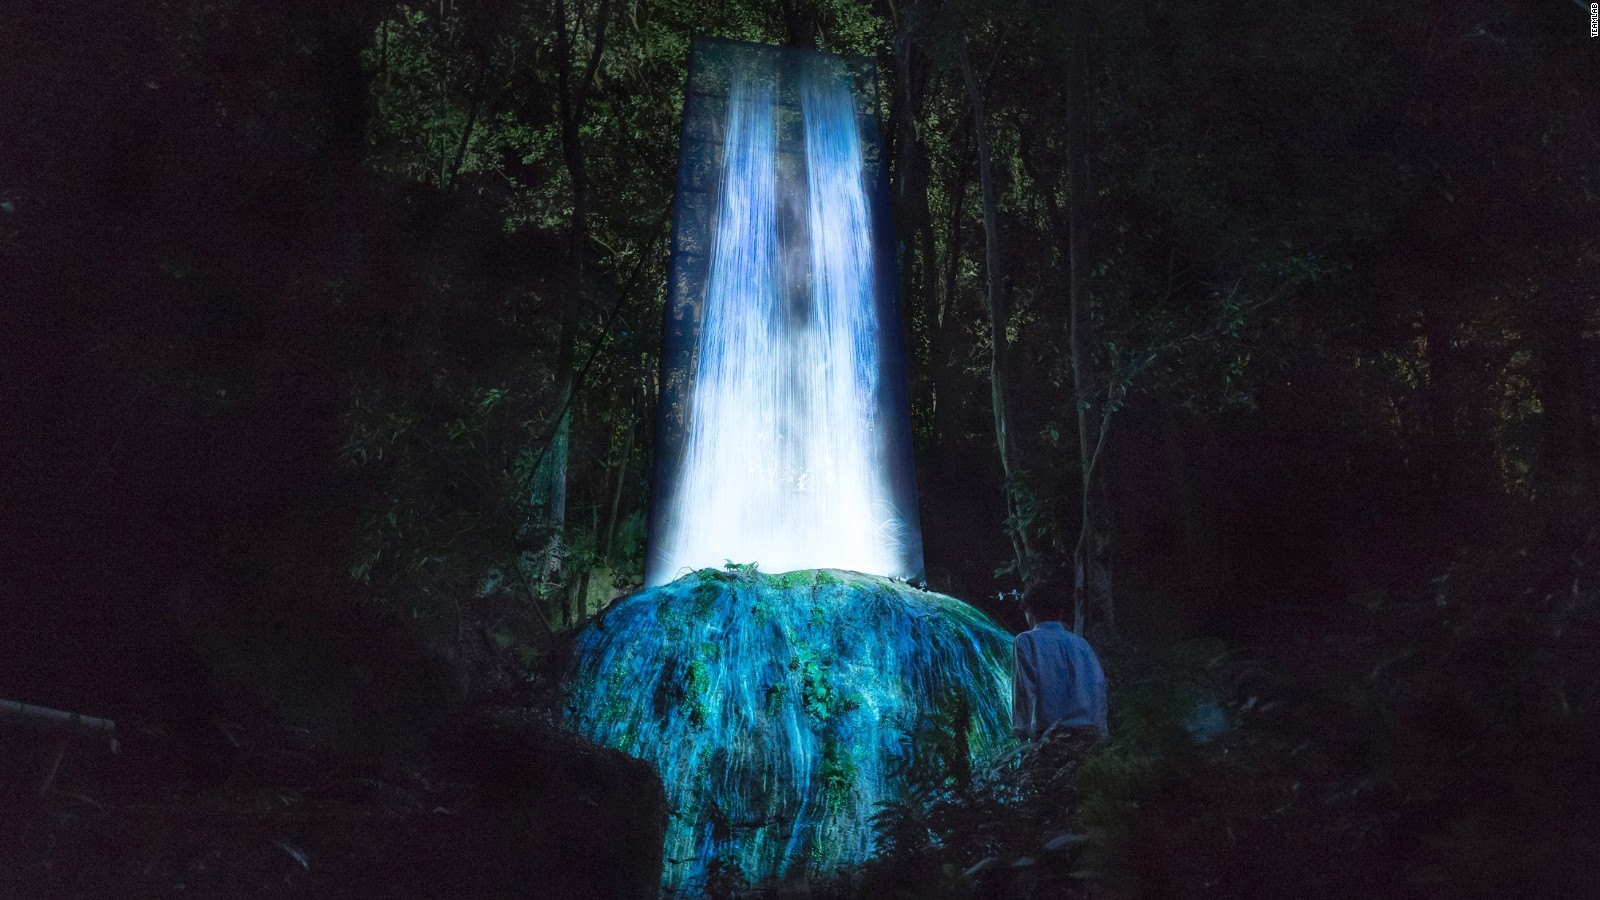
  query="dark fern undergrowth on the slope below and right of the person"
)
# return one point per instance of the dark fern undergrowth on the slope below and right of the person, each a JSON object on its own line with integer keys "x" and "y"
{"x": 1412, "y": 744}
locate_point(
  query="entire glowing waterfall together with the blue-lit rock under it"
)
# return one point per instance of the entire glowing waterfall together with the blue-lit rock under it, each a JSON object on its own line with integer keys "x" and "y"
{"x": 775, "y": 672}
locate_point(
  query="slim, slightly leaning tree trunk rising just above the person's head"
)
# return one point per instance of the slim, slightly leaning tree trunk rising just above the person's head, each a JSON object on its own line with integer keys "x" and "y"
{"x": 999, "y": 319}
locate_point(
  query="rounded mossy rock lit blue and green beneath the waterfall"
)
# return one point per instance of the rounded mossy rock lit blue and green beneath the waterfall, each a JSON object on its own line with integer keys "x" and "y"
{"x": 775, "y": 707}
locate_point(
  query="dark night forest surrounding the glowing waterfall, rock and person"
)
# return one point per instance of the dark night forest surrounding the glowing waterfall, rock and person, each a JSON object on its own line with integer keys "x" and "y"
{"x": 1268, "y": 332}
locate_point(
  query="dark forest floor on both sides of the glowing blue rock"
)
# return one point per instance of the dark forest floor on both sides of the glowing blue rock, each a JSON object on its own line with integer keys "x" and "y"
{"x": 1420, "y": 744}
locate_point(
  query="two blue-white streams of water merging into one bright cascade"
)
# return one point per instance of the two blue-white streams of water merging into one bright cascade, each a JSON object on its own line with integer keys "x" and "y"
{"x": 785, "y": 460}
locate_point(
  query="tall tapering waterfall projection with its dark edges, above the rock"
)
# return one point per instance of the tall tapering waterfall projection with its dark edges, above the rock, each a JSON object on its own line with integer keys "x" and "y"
{"x": 785, "y": 438}
